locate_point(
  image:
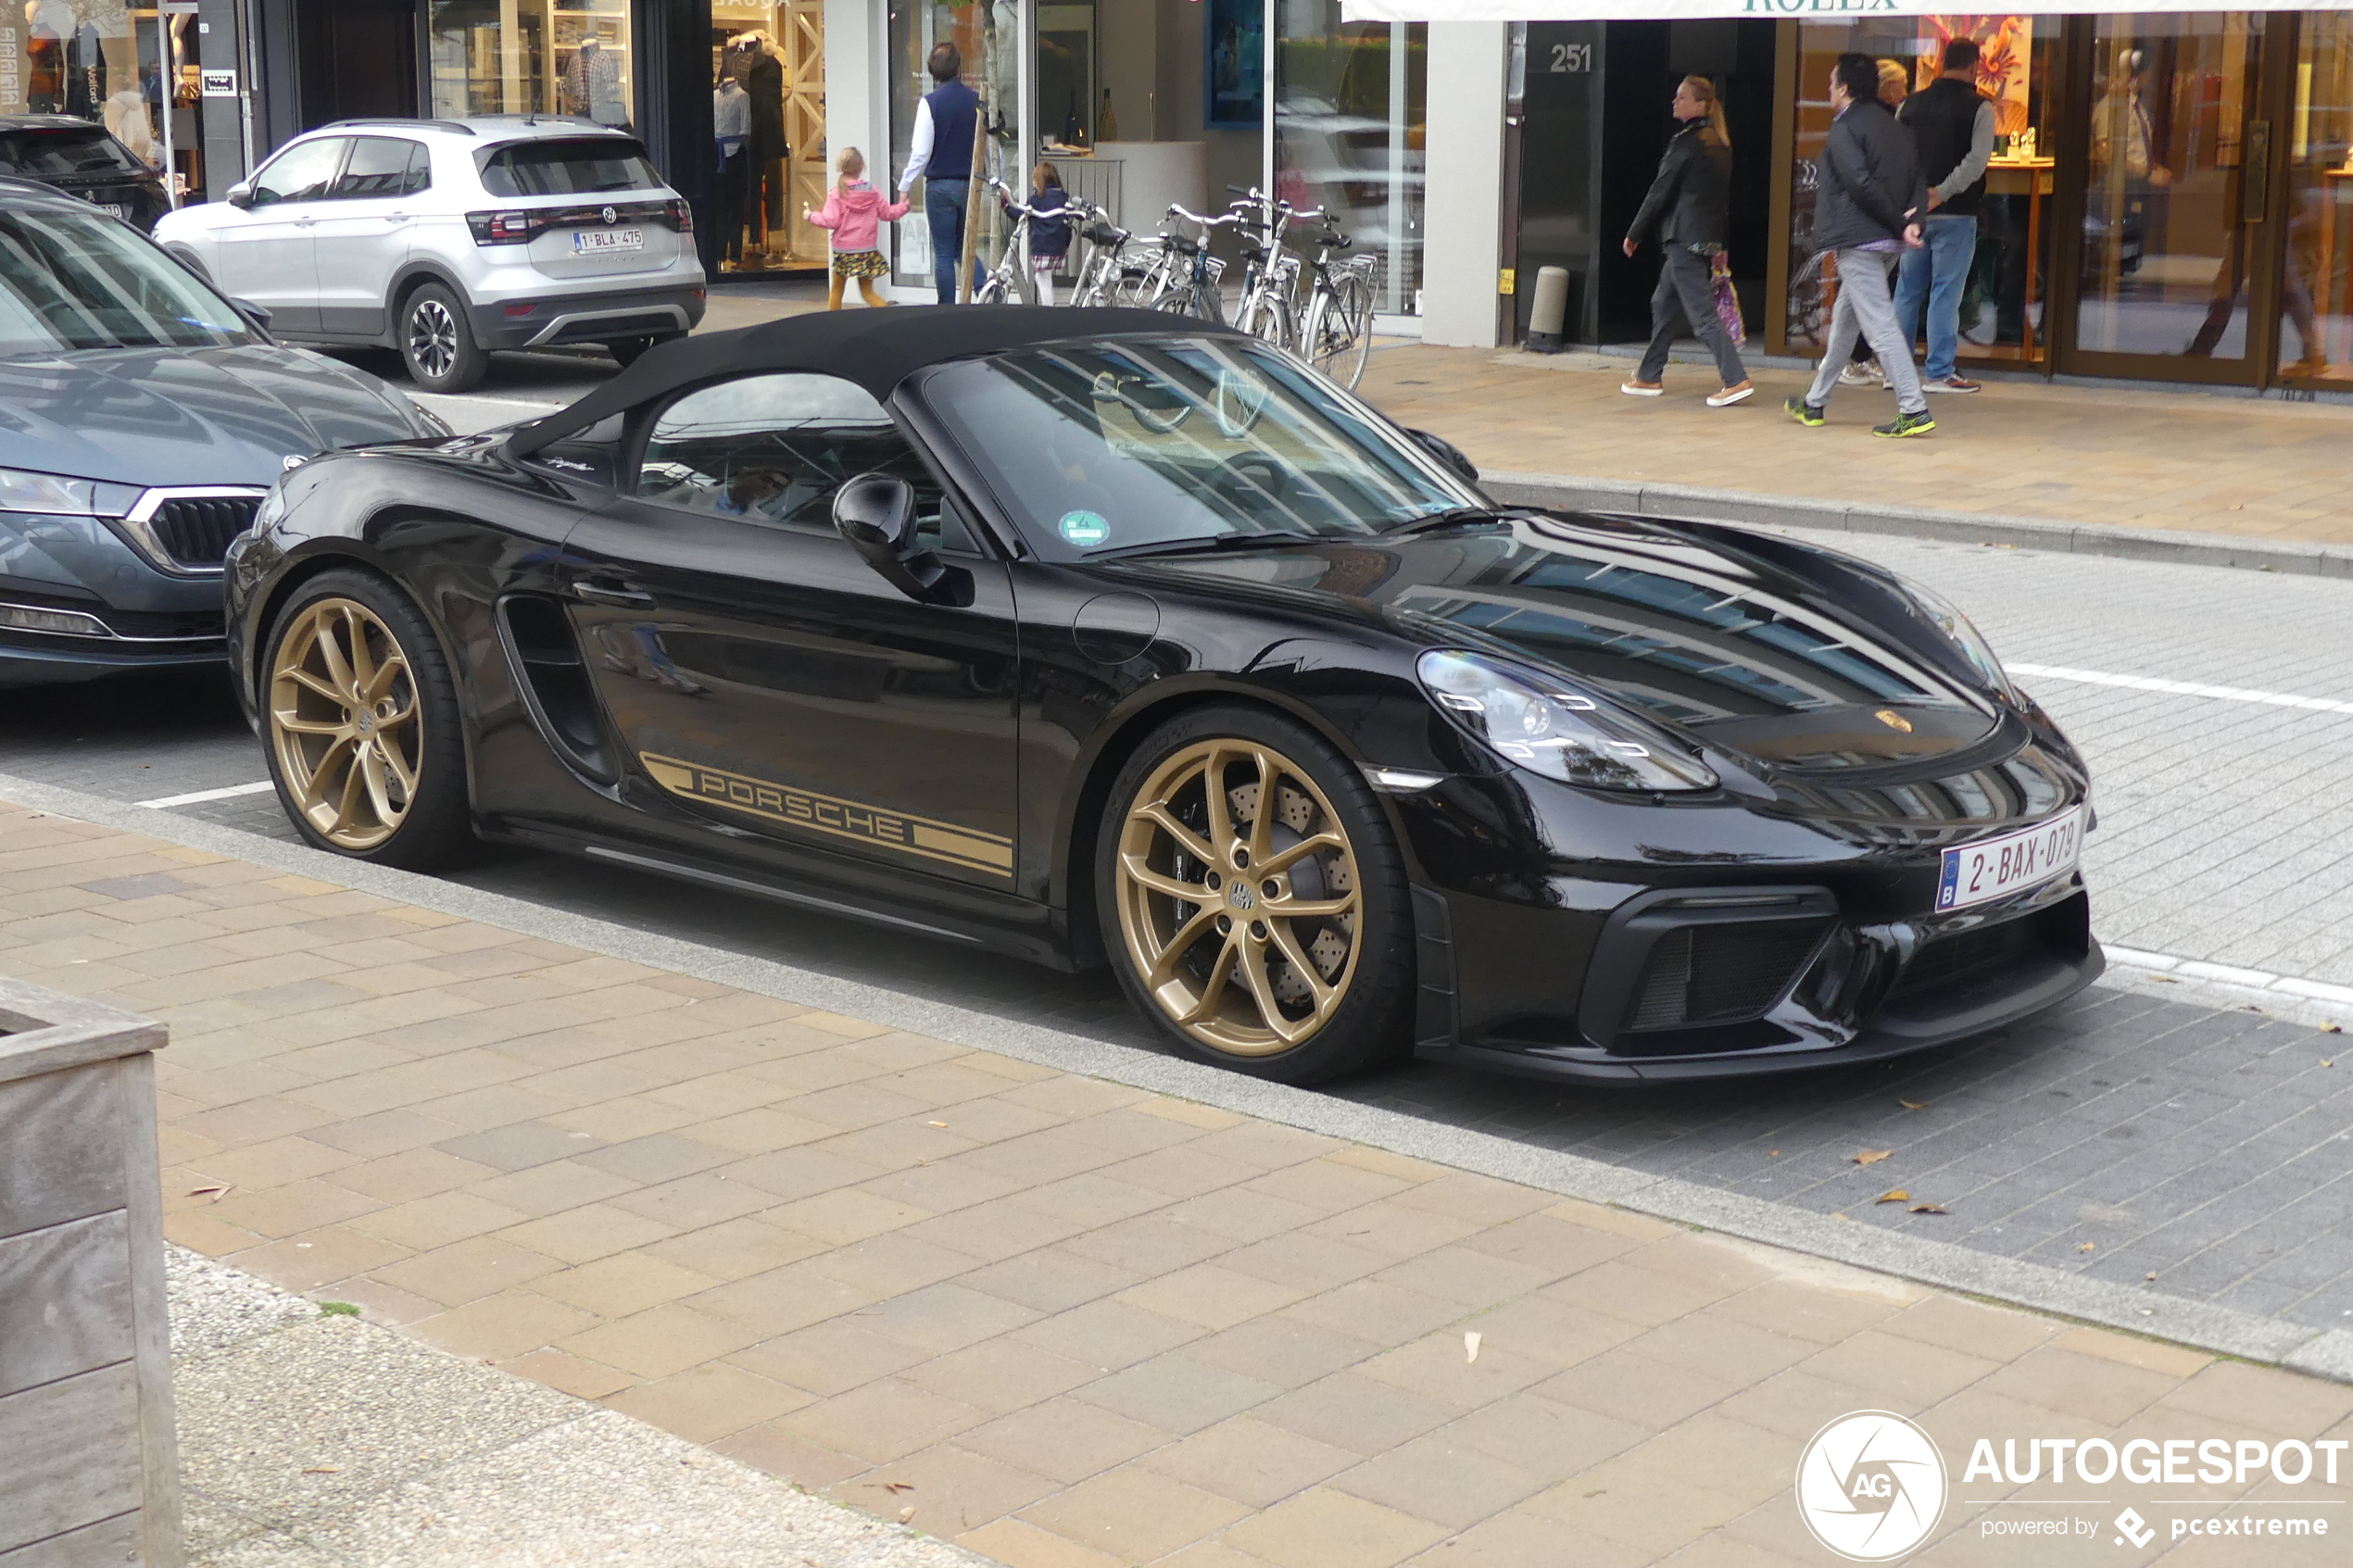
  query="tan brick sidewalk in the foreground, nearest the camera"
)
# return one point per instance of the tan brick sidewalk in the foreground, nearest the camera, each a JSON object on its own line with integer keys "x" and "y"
{"x": 1060, "y": 1320}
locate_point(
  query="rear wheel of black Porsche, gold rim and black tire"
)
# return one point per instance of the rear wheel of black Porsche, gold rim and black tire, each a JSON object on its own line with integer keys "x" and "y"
{"x": 434, "y": 822}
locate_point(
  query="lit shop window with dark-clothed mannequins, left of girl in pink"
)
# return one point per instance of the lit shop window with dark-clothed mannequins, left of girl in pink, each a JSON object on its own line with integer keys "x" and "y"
{"x": 768, "y": 107}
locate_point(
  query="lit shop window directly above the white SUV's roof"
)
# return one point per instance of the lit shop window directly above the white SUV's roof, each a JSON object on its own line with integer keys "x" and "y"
{"x": 524, "y": 58}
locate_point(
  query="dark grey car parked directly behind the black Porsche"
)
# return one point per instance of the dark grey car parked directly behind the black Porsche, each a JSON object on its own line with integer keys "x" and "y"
{"x": 142, "y": 420}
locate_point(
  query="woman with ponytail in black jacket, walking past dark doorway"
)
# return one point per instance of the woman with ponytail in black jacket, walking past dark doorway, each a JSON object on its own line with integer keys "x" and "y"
{"x": 1688, "y": 208}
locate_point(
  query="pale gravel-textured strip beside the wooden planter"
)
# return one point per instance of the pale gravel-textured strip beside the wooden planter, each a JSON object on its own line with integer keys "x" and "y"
{"x": 324, "y": 1442}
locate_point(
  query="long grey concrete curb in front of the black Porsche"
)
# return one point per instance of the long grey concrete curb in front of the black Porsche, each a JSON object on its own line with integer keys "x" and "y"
{"x": 1935, "y": 1264}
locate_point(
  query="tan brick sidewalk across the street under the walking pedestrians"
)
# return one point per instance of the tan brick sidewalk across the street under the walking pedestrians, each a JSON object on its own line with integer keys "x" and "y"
{"x": 2025, "y": 450}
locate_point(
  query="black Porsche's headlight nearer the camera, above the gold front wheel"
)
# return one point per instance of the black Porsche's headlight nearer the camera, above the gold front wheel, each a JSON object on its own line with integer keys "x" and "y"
{"x": 1549, "y": 730}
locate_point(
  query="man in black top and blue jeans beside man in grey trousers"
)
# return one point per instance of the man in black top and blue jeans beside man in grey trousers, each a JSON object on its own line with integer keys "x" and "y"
{"x": 1952, "y": 123}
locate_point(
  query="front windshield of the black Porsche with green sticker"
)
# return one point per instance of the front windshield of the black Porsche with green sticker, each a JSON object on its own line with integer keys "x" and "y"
{"x": 1135, "y": 445}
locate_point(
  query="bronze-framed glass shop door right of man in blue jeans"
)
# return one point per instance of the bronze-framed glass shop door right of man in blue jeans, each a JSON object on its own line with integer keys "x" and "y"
{"x": 2178, "y": 260}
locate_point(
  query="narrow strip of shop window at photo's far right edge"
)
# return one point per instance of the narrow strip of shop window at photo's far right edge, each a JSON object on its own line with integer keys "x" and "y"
{"x": 2317, "y": 342}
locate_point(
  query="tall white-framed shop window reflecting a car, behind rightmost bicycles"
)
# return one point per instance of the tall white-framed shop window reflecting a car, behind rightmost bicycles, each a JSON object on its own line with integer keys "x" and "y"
{"x": 1352, "y": 135}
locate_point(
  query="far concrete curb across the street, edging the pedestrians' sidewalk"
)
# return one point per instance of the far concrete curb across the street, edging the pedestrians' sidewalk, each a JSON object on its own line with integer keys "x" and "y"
{"x": 1580, "y": 492}
